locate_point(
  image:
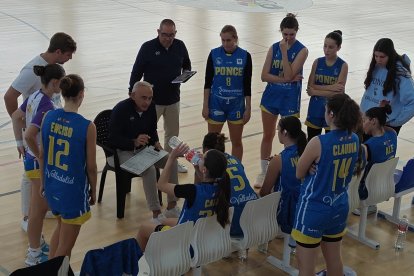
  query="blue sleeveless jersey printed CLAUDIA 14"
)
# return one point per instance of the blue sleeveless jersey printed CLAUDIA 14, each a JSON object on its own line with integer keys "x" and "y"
{"x": 327, "y": 187}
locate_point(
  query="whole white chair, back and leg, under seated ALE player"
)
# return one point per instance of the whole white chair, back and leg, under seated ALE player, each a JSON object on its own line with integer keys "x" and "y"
{"x": 380, "y": 185}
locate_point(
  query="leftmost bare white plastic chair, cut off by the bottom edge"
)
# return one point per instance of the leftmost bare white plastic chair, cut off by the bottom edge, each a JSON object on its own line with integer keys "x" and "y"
{"x": 167, "y": 252}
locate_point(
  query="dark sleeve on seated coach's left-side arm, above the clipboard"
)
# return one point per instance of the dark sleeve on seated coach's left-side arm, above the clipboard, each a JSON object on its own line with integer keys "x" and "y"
{"x": 116, "y": 129}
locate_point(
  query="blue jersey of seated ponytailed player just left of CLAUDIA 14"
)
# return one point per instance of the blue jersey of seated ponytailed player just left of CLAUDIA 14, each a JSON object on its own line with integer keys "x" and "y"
{"x": 289, "y": 186}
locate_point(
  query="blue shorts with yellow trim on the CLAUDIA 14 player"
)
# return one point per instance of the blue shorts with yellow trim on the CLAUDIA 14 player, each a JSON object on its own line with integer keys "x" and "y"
{"x": 313, "y": 224}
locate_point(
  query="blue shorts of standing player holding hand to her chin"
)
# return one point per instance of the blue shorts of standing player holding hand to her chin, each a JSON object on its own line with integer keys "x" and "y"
{"x": 283, "y": 99}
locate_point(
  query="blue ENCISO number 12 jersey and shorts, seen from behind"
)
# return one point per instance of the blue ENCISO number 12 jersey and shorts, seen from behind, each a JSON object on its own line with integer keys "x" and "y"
{"x": 65, "y": 177}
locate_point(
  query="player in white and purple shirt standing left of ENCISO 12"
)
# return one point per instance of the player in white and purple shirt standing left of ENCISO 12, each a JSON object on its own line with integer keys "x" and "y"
{"x": 32, "y": 111}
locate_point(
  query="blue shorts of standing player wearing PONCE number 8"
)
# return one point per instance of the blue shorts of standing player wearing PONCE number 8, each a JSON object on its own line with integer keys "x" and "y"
{"x": 222, "y": 109}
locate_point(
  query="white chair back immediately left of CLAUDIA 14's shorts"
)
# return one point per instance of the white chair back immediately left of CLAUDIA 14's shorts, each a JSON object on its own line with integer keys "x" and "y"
{"x": 258, "y": 220}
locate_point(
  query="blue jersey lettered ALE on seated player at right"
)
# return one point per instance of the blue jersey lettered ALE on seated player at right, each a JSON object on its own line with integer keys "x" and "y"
{"x": 382, "y": 148}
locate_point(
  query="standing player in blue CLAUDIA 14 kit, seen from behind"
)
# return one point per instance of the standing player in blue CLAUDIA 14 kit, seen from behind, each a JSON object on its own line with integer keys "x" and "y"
{"x": 327, "y": 165}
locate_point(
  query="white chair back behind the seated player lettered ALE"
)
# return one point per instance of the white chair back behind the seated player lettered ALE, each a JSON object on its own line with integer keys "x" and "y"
{"x": 380, "y": 182}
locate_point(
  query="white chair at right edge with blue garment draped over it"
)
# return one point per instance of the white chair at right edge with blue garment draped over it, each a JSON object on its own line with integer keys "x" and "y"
{"x": 405, "y": 185}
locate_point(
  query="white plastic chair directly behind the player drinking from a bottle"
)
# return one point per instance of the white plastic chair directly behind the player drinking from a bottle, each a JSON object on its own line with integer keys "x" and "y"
{"x": 210, "y": 241}
